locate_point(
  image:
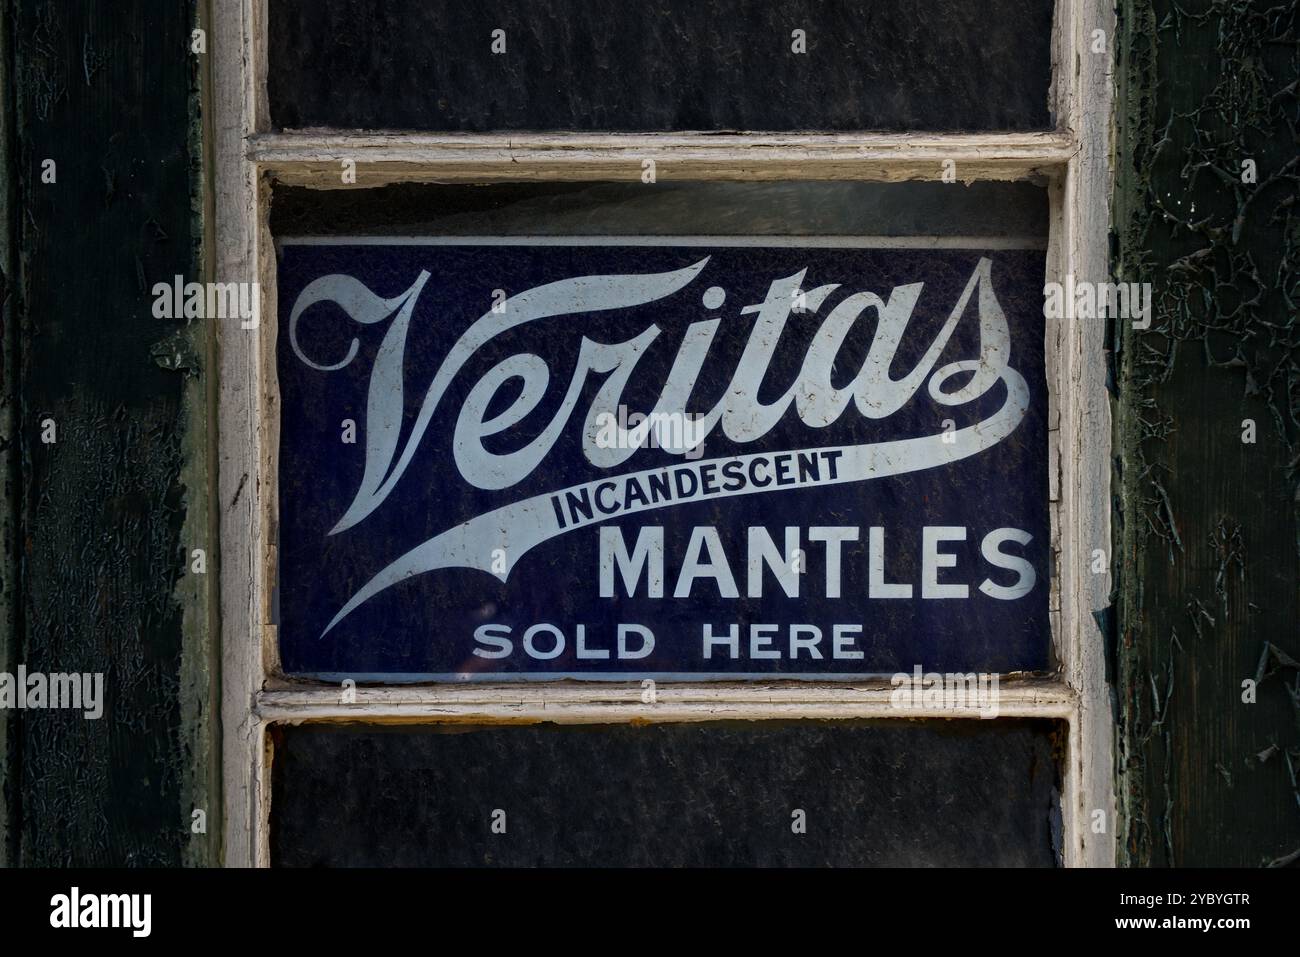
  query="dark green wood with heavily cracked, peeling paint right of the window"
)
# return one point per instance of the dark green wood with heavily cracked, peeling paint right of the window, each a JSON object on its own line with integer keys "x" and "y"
{"x": 1208, "y": 525}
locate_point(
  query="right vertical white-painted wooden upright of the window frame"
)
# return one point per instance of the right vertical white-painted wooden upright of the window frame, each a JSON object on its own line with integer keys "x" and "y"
{"x": 1085, "y": 423}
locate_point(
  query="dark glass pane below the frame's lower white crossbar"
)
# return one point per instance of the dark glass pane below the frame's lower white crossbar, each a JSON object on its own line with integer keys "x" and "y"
{"x": 873, "y": 794}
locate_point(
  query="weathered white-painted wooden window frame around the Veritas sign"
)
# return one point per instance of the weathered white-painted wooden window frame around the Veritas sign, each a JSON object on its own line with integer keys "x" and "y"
{"x": 246, "y": 157}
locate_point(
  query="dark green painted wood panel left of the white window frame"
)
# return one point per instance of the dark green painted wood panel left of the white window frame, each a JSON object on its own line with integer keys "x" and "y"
{"x": 107, "y": 92}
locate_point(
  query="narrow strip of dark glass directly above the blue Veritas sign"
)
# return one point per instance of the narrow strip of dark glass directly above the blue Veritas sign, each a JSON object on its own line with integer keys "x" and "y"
{"x": 1003, "y": 210}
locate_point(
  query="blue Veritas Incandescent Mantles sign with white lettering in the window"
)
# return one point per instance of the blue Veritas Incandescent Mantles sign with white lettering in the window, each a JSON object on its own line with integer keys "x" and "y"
{"x": 678, "y": 458}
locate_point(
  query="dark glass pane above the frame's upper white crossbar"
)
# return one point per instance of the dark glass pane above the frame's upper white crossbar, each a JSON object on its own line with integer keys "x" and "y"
{"x": 627, "y": 66}
